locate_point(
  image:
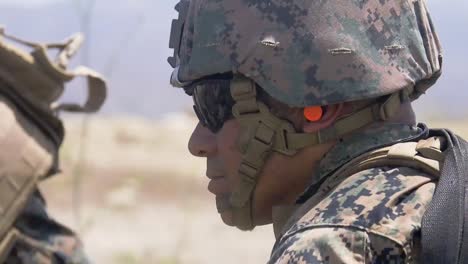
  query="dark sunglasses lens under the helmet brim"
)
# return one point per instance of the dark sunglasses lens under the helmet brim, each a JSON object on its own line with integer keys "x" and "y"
{"x": 213, "y": 103}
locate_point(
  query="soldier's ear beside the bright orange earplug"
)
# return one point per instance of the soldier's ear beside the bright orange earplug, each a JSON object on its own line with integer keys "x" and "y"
{"x": 329, "y": 116}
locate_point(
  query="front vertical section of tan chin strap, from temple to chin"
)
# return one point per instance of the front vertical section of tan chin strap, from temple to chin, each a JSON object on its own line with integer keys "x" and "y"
{"x": 261, "y": 133}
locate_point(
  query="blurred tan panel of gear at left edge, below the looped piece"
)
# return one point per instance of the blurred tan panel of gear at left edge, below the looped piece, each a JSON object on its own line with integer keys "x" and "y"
{"x": 26, "y": 156}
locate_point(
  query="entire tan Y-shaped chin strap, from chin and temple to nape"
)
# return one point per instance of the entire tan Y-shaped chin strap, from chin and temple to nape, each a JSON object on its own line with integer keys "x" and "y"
{"x": 262, "y": 133}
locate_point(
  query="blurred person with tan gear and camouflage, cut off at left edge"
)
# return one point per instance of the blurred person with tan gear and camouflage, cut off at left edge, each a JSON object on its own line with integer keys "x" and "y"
{"x": 30, "y": 137}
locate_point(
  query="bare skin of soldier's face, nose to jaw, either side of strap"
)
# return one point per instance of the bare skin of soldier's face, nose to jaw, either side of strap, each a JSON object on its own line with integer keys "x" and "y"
{"x": 280, "y": 182}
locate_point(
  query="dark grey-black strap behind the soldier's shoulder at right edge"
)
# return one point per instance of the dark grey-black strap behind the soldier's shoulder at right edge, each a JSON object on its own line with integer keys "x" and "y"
{"x": 444, "y": 225}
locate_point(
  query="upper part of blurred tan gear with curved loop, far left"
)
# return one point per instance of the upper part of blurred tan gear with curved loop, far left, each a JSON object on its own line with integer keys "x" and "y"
{"x": 40, "y": 80}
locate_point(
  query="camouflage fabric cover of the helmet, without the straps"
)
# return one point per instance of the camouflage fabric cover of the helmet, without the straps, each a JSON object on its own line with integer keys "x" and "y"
{"x": 306, "y": 52}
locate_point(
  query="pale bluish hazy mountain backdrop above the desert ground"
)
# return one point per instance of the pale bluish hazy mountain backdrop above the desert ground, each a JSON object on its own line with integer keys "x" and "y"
{"x": 135, "y": 34}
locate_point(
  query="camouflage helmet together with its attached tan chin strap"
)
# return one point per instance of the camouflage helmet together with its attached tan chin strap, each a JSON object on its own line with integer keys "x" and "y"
{"x": 302, "y": 53}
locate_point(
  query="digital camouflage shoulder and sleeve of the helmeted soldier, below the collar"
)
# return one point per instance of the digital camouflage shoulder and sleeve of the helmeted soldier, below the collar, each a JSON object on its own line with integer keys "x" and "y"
{"x": 372, "y": 217}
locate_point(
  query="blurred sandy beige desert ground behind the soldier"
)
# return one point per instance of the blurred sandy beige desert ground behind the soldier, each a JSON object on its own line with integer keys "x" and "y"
{"x": 135, "y": 195}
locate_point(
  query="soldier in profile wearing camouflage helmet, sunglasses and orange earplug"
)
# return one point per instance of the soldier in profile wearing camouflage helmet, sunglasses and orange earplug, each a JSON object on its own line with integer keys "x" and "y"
{"x": 306, "y": 122}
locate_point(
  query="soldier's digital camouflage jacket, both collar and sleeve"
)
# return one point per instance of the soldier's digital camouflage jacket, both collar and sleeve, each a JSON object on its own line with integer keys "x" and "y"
{"x": 373, "y": 216}
